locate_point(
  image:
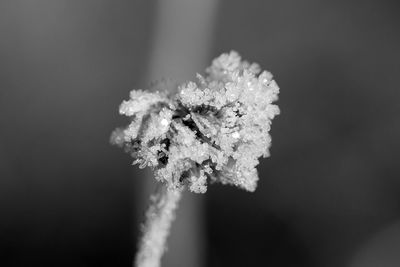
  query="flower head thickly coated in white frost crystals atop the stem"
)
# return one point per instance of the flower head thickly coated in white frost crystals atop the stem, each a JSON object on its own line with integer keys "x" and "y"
{"x": 214, "y": 129}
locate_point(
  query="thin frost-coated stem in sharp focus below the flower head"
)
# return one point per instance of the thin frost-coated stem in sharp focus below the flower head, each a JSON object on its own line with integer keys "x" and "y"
{"x": 159, "y": 218}
